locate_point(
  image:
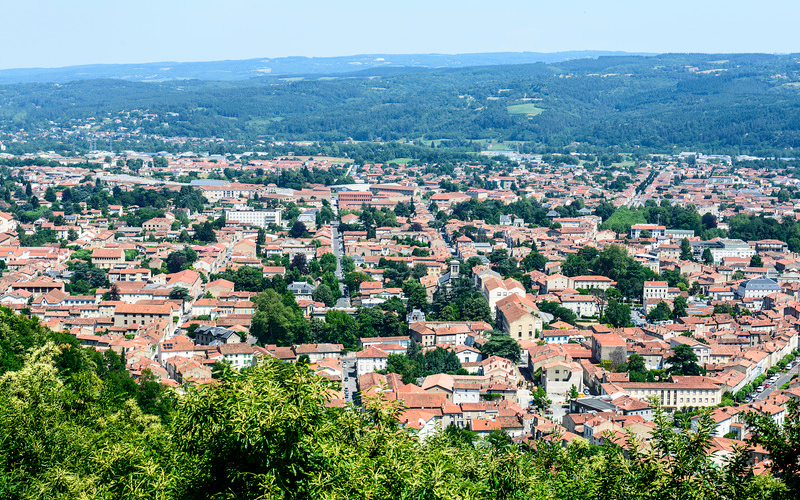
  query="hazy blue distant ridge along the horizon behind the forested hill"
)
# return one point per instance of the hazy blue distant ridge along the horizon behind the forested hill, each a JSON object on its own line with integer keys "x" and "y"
{"x": 230, "y": 70}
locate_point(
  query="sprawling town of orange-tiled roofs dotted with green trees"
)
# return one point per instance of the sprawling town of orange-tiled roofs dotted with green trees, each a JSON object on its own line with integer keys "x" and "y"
{"x": 545, "y": 296}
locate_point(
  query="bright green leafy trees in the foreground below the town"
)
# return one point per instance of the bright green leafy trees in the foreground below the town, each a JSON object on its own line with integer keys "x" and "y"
{"x": 73, "y": 424}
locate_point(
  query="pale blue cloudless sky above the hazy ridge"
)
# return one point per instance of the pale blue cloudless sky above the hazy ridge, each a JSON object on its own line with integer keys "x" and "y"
{"x": 55, "y": 33}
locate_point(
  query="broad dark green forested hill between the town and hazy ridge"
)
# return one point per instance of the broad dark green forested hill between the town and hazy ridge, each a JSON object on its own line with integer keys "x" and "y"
{"x": 744, "y": 103}
